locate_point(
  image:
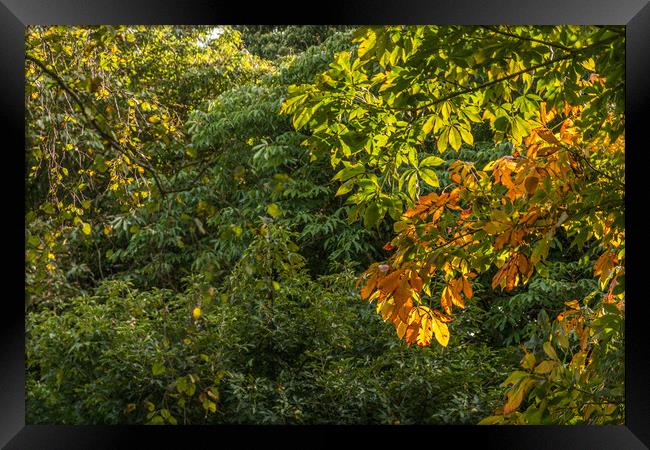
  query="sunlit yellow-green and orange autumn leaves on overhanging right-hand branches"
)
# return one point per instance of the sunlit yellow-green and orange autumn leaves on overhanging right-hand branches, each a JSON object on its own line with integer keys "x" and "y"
{"x": 553, "y": 98}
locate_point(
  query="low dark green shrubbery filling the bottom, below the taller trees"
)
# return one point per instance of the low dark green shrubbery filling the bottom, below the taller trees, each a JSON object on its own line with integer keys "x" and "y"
{"x": 301, "y": 351}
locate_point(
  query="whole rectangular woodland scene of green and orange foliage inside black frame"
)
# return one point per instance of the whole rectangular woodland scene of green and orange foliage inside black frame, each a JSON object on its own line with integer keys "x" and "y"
{"x": 325, "y": 225}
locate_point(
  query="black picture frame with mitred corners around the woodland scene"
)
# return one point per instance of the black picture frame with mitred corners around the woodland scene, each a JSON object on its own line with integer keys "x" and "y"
{"x": 15, "y": 15}
